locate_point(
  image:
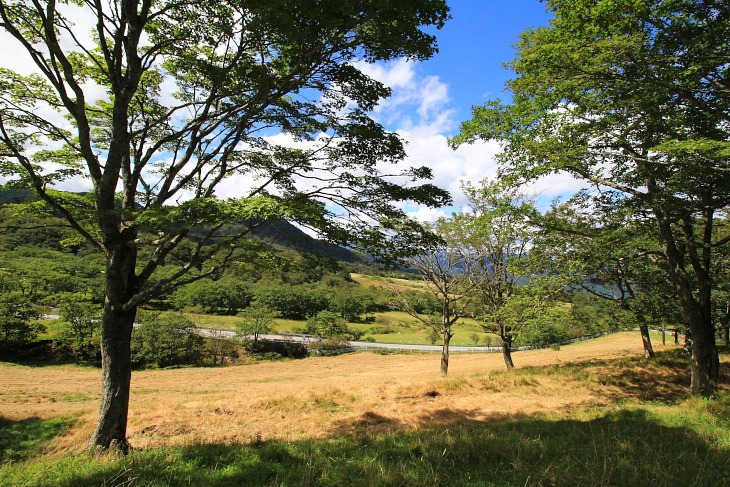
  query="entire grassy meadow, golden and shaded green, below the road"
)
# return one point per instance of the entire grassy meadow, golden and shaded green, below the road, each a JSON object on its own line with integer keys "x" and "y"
{"x": 592, "y": 413}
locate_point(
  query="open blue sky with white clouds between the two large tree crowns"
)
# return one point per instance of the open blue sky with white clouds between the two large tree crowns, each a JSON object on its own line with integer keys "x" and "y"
{"x": 431, "y": 98}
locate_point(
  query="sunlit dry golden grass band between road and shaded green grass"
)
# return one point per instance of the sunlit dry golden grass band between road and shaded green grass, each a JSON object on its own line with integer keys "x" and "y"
{"x": 318, "y": 397}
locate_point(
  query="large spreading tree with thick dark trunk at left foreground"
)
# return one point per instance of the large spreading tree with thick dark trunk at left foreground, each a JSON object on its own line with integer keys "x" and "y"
{"x": 168, "y": 99}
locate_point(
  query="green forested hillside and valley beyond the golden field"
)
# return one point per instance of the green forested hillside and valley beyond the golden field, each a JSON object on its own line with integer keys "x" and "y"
{"x": 42, "y": 265}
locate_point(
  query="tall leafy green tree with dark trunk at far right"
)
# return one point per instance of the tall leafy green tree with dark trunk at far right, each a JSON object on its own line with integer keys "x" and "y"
{"x": 632, "y": 97}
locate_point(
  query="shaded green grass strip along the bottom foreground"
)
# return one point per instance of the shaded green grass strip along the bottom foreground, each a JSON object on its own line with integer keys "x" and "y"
{"x": 650, "y": 445}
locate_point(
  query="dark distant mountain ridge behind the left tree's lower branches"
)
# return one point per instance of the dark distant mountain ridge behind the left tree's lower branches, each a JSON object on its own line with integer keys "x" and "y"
{"x": 278, "y": 232}
